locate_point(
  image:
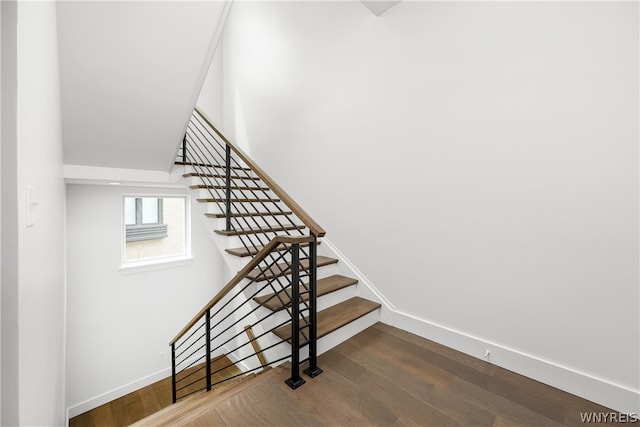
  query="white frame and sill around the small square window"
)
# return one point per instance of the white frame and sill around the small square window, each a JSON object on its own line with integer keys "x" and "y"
{"x": 148, "y": 264}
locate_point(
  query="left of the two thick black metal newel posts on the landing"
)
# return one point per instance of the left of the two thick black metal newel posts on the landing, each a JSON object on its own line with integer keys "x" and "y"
{"x": 296, "y": 380}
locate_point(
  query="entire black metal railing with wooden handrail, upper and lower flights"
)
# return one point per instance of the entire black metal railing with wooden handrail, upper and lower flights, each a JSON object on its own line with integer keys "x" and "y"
{"x": 270, "y": 227}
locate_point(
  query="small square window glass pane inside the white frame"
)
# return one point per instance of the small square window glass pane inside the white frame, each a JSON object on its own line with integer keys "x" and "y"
{"x": 155, "y": 228}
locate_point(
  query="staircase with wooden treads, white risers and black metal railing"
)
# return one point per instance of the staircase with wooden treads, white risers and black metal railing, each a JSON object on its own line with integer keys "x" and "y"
{"x": 291, "y": 298}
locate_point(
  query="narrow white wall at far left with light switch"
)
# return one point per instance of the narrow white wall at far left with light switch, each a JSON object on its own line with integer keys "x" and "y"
{"x": 33, "y": 258}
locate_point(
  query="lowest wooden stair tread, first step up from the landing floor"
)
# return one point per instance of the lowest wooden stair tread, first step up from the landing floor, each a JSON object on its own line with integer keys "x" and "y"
{"x": 334, "y": 317}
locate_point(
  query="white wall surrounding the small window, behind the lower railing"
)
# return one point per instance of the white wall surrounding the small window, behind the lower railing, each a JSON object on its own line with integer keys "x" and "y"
{"x": 120, "y": 324}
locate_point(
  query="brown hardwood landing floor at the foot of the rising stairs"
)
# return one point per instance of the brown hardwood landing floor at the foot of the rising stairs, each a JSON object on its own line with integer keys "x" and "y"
{"x": 383, "y": 376}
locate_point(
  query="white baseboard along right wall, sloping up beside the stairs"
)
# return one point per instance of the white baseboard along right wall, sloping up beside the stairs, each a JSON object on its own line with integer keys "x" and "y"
{"x": 583, "y": 384}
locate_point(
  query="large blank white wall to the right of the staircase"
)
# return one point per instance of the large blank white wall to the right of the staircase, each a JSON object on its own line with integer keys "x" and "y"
{"x": 489, "y": 148}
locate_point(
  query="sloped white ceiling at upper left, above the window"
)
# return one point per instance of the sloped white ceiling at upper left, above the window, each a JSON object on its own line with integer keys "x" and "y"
{"x": 129, "y": 73}
